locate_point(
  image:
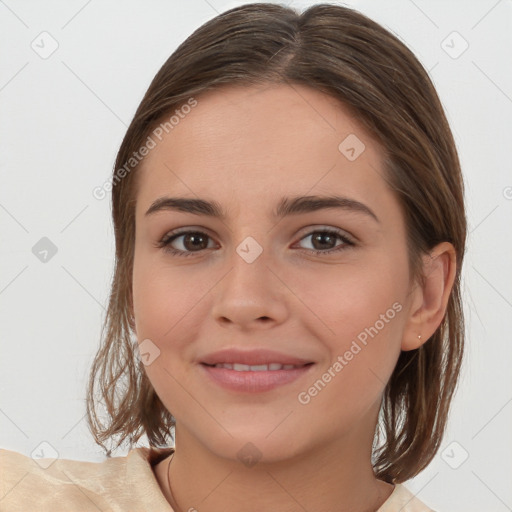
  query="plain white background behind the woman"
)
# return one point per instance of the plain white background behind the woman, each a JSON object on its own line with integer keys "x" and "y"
{"x": 62, "y": 120}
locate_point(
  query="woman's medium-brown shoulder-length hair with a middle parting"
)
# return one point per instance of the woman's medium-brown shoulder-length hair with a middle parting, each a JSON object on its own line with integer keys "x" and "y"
{"x": 346, "y": 55}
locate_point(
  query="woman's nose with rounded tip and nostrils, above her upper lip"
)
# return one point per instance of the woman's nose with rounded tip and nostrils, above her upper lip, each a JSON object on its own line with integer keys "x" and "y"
{"x": 250, "y": 295}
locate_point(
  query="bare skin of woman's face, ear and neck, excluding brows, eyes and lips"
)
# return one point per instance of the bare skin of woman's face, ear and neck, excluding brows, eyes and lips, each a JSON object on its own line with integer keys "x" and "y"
{"x": 246, "y": 147}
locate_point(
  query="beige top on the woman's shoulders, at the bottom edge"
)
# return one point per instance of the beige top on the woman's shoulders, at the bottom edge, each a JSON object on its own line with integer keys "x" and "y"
{"x": 118, "y": 484}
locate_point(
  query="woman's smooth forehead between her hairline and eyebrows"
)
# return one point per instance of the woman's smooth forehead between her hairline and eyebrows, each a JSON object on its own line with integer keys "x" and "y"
{"x": 261, "y": 139}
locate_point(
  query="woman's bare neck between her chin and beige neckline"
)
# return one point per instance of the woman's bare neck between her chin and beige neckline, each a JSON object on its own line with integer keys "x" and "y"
{"x": 325, "y": 478}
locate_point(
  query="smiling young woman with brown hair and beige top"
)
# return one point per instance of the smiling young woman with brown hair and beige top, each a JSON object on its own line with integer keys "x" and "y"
{"x": 285, "y": 323}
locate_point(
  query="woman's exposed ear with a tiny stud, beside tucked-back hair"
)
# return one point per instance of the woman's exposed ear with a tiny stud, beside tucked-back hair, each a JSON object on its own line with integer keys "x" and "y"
{"x": 430, "y": 298}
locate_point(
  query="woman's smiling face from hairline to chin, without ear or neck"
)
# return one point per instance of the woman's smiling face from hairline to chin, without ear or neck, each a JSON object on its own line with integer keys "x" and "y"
{"x": 252, "y": 280}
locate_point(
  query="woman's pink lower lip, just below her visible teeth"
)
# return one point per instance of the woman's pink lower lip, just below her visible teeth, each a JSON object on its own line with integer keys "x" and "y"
{"x": 254, "y": 382}
